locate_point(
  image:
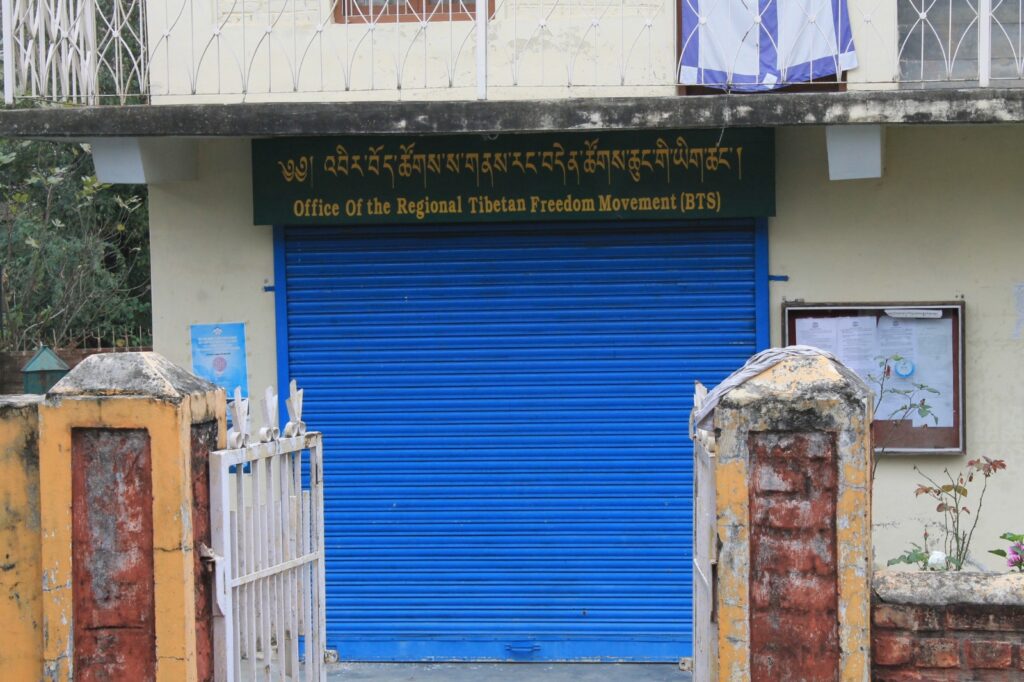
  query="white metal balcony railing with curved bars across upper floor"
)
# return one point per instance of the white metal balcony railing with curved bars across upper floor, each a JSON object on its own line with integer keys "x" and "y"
{"x": 227, "y": 51}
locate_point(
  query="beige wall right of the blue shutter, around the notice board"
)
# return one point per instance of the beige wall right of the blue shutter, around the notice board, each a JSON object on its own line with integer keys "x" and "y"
{"x": 946, "y": 223}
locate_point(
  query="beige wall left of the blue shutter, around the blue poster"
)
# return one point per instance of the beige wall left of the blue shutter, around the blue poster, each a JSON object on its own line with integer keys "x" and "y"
{"x": 210, "y": 264}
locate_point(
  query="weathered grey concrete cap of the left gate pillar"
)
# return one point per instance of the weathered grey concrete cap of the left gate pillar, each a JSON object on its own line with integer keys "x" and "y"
{"x": 144, "y": 375}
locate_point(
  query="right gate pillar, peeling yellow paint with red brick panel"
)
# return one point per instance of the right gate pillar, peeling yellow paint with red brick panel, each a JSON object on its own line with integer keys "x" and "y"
{"x": 794, "y": 521}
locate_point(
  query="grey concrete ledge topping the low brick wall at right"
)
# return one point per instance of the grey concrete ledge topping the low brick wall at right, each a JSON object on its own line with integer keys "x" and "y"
{"x": 943, "y": 589}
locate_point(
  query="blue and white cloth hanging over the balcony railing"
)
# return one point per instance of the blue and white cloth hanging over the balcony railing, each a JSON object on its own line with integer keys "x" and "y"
{"x": 751, "y": 46}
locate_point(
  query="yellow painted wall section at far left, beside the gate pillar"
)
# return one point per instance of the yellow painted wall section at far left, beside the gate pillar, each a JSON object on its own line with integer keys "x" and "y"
{"x": 21, "y": 585}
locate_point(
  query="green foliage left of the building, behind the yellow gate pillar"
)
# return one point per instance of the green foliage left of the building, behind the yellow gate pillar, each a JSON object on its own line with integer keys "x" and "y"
{"x": 74, "y": 252}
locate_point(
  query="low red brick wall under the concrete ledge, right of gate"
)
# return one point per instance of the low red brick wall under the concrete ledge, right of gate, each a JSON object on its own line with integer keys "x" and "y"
{"x": 956, "y": 642}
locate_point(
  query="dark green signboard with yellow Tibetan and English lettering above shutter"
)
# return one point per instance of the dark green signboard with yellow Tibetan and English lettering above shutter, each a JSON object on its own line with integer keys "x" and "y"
{"x": 600, "y": 176}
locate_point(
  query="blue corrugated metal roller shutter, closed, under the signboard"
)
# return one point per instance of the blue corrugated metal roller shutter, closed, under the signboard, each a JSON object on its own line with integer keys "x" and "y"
{"x": 505, "y": 418}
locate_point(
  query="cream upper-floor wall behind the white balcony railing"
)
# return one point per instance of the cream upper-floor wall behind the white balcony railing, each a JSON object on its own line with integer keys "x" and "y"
{"x": 294, "y": 51}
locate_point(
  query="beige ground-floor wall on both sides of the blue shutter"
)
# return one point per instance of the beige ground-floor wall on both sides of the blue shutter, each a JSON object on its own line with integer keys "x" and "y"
{"x": 944, "y": 224}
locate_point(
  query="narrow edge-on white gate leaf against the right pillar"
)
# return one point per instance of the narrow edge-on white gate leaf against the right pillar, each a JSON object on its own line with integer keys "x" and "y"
{"x": 705, "y": 545}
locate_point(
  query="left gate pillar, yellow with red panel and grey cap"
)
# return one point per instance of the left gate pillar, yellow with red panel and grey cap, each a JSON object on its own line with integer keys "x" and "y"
{"x": 123, "y": 442}
